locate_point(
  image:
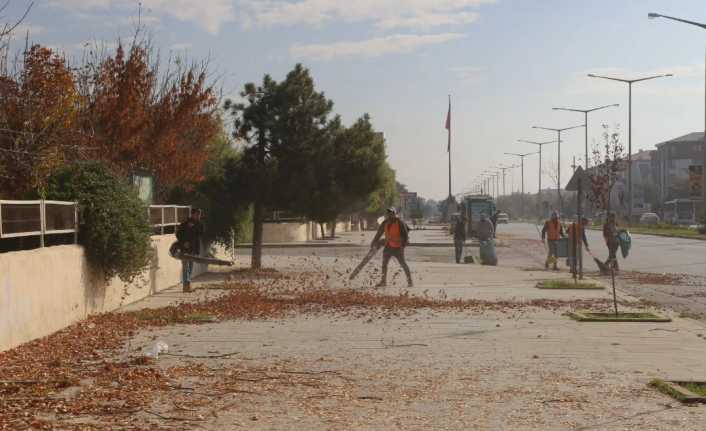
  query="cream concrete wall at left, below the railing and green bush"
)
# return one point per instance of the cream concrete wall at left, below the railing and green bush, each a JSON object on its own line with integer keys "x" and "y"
{"x": 45, "y": 290}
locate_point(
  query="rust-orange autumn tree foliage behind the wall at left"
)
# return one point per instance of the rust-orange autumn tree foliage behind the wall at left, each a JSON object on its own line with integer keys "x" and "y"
{"x": 120, "y": 109}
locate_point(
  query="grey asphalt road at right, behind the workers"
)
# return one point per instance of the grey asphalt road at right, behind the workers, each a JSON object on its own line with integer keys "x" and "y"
{"x": 649, "y": 253}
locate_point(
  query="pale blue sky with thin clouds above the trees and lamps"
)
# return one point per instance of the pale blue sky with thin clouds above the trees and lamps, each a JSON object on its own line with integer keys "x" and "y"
{"x": 505, "y": 63}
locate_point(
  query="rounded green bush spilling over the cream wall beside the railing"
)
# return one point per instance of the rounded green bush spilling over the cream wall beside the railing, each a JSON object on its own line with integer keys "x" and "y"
{"x": 115, "y": 230}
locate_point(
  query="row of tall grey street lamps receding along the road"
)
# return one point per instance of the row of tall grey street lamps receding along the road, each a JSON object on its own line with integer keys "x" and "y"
{"x": 486, "y": 176}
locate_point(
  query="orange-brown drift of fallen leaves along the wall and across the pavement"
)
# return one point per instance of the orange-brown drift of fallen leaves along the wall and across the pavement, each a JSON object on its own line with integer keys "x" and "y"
{"x": 72, "y": 379}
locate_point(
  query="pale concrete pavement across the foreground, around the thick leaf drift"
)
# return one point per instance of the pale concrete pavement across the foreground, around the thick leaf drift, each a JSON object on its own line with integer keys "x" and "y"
{"x": 529, "y": 368}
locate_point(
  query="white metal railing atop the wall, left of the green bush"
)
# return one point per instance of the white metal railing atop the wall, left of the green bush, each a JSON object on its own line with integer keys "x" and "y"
{"x": 38, "y": 218}
